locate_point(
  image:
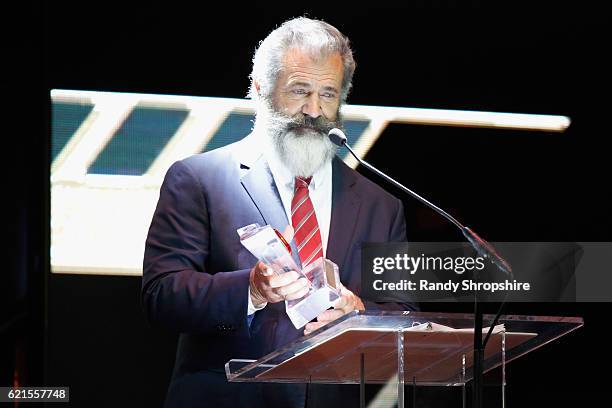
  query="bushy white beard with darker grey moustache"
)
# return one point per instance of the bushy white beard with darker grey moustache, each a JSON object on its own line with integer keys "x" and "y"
{"x": 299, "y": 141}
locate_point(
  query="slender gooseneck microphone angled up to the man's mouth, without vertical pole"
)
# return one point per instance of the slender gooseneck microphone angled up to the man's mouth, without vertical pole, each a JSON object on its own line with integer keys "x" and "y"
{"x": 481, "y": 246}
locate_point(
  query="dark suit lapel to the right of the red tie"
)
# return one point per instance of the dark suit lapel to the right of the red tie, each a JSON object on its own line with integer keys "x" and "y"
{"x": 345, "y": 212}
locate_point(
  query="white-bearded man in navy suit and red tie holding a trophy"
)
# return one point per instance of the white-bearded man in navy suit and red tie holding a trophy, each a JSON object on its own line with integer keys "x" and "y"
{"x": 197, "y": 278}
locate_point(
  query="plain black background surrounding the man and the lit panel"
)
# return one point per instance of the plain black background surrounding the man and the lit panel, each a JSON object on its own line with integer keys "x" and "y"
{"x": 88, "y": 331}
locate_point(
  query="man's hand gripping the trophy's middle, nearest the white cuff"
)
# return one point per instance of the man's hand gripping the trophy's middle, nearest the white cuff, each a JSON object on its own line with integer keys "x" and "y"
{"x": 267, "y": 287}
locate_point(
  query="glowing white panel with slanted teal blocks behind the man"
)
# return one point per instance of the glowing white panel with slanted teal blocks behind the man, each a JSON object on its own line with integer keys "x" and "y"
{"x": 110, "y": 152}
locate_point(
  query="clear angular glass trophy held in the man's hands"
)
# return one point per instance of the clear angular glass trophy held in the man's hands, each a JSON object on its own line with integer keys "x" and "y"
{"x": 270, "y": 247}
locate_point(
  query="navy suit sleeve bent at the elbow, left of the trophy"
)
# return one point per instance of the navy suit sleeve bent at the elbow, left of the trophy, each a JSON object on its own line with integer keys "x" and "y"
{"x": 177, "y": 291}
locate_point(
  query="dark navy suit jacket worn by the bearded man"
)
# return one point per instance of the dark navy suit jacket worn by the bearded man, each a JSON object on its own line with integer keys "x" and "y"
{"x": 196, "y": 272}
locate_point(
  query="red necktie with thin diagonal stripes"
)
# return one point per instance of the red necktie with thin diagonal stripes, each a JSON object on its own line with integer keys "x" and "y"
{"x": 304, "y": 221}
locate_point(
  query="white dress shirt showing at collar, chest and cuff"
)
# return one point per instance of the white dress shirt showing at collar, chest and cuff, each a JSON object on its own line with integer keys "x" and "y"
{"x": 319, "y": 190}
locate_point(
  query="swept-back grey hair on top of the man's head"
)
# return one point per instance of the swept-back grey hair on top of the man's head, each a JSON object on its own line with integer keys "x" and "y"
{"x": 317, "y": 37}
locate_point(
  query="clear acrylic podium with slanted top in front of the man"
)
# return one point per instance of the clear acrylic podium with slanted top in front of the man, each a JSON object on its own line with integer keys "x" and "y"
{"x": 398, "y": 348}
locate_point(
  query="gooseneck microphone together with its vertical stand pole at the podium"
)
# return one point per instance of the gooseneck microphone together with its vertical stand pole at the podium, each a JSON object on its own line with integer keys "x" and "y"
{"x": 481, "y": 246}
